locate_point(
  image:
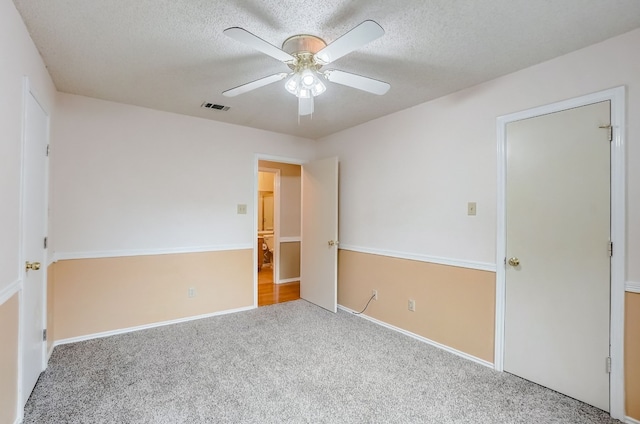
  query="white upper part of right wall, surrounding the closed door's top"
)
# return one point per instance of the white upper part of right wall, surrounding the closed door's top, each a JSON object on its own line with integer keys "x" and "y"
{"x": 405, "y": 179}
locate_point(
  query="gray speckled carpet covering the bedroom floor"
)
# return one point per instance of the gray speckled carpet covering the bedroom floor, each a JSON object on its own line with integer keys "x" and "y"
{"x": 287, "y": 363}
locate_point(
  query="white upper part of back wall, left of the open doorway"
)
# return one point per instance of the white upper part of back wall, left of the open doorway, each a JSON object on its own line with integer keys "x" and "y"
{"x": 128, "y": 178}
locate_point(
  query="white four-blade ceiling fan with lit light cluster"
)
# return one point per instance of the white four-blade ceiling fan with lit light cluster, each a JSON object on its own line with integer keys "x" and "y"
{"x": 306, "y": 55}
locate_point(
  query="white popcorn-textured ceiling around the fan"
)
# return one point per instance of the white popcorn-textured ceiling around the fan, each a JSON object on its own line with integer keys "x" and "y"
{"x": 171, "y": 55}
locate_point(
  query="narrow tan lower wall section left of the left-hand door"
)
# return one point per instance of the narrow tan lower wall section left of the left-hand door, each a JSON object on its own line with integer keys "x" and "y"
{"x": 9, "y": 317}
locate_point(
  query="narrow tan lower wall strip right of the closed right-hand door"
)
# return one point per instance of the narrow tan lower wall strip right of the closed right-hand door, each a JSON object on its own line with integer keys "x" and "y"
{"x": 632, "y": 354}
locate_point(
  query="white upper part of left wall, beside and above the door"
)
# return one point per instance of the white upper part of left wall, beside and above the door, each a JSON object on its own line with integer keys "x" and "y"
{"x": 18, "y": 58}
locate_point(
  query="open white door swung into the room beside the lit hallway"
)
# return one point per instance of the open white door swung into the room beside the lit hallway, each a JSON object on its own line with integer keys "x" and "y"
{"x": 319, "y": 247}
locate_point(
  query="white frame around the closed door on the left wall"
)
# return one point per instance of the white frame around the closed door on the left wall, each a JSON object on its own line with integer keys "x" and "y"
{"x": 27, "y": 91}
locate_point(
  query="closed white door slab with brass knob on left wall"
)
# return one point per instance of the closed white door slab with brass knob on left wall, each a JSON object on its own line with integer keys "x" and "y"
{"x": 34, "y": 216}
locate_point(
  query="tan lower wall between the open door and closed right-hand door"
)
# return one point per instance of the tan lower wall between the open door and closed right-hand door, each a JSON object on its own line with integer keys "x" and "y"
{"x": 454, "y": 306}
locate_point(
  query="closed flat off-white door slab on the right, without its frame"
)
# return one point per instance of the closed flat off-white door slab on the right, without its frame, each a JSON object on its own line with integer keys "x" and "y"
{"x": 557, "y": 240}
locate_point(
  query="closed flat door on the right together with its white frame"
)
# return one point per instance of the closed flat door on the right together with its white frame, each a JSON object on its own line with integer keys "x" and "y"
{"x": 527, "y": 279}
